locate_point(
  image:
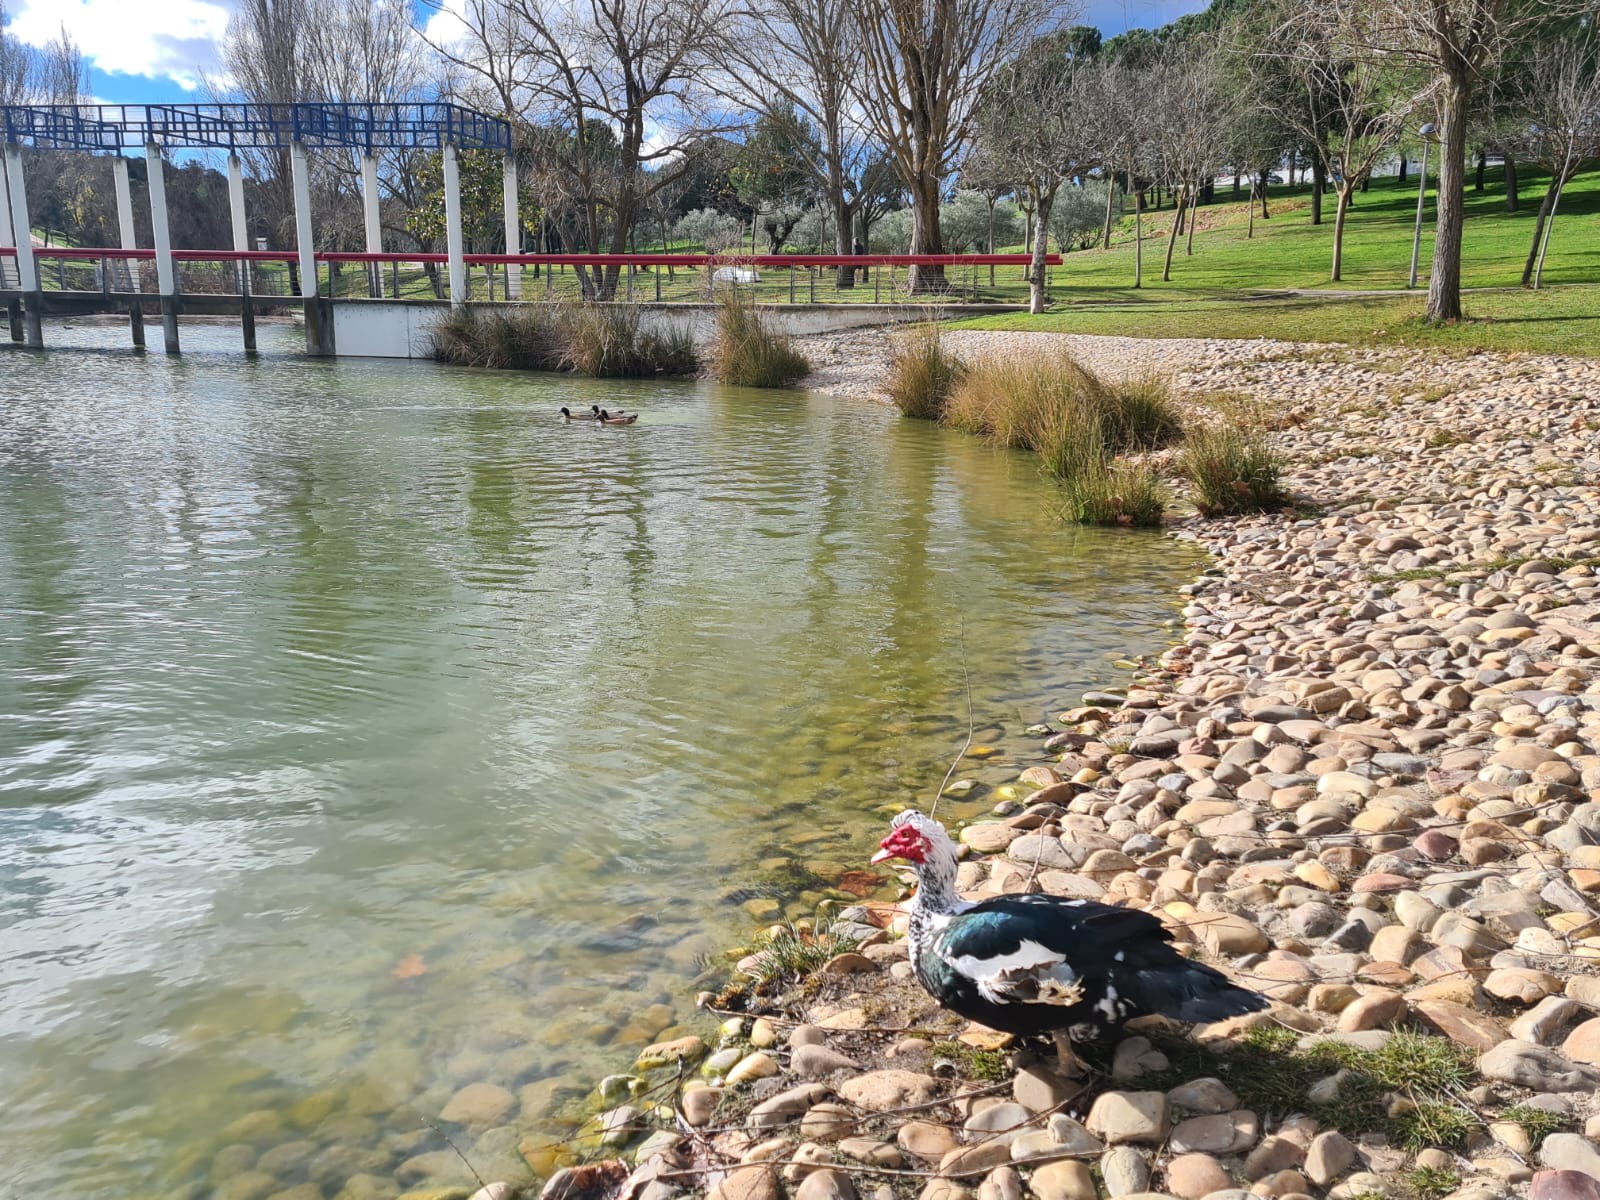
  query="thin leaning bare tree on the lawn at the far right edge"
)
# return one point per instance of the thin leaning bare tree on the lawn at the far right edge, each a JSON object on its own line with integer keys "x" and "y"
{"x": 1561, "y": 97}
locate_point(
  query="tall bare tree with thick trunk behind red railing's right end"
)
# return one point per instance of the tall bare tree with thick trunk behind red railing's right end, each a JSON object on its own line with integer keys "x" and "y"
{"x": 924, "y": 65}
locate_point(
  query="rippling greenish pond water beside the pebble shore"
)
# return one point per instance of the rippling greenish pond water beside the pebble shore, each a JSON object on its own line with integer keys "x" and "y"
{"x": 367, "y": 732}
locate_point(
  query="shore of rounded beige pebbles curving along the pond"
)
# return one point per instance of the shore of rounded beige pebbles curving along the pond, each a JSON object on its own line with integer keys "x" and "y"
{"x": 1367, "y": 783}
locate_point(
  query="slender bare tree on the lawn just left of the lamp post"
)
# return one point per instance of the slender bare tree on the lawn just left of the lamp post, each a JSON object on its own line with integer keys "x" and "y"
{"x": 1345, "y": 105}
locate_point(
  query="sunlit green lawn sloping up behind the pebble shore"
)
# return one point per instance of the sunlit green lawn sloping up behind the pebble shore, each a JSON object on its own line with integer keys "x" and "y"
{"x": 1234, "y": 287}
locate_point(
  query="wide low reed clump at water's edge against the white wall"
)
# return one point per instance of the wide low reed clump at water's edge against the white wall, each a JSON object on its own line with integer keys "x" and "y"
{"x": 596, "y": 340}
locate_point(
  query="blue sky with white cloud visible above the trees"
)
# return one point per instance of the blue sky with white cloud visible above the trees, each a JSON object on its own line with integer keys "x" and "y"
{"x": 143, "y": 52}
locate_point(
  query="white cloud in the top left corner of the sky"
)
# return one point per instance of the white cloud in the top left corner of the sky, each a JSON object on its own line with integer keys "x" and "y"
{"x": 162, "y": 39}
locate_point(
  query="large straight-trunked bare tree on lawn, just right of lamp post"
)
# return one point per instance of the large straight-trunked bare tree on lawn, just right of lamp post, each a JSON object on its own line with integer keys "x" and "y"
{"x": 1455, "y": 42}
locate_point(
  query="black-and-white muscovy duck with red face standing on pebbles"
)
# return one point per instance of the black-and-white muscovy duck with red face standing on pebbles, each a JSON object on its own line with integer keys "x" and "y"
{"x": 1033, "y": 964}
